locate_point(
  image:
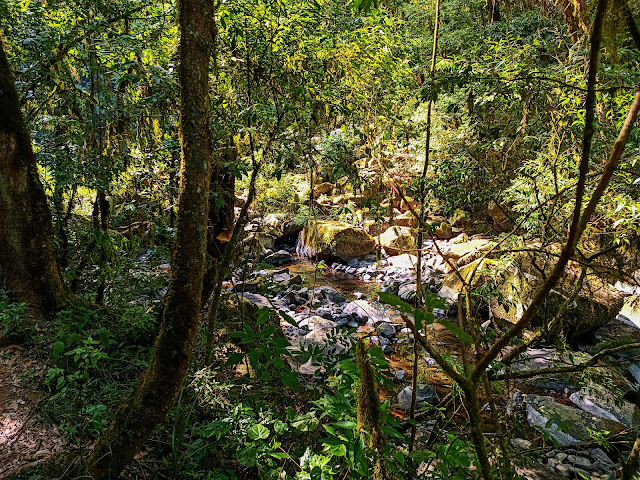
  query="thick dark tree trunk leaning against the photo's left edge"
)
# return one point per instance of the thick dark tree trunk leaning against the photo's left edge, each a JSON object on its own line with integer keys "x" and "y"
{"x": 28, "y": 266}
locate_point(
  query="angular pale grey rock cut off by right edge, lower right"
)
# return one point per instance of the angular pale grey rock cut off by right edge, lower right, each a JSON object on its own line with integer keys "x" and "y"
{"x": 601, "y": 403}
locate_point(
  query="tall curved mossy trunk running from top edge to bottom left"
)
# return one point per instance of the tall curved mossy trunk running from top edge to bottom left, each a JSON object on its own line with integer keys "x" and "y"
{"x": 160, "y": 383}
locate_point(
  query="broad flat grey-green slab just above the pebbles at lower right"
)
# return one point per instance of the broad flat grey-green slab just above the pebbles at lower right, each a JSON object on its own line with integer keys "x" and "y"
{"x": 578, "y": 423}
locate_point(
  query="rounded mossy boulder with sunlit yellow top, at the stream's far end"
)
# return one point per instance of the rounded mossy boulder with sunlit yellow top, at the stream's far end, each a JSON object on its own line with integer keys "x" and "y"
{"x": 330, "y": 239}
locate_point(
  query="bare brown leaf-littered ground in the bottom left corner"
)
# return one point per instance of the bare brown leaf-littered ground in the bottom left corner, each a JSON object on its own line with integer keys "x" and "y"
{"x": 25, "y": 440}
